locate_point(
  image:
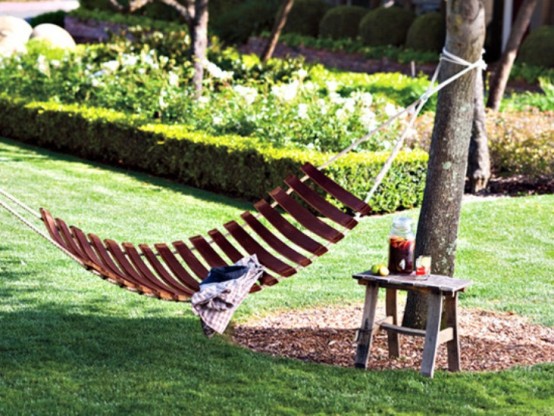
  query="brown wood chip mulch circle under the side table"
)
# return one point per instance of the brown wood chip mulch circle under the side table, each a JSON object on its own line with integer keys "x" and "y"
{"x": 489, "y": 341}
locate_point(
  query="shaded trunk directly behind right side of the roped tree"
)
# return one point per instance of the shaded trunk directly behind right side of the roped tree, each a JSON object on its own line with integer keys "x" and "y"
{"x": 479, "y": 165}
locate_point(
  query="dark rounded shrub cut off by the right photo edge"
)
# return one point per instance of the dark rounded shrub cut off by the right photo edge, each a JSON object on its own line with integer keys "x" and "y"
{"x": 537, "y": 48}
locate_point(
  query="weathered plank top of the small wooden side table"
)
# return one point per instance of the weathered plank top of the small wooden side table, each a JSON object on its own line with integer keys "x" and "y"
{"x": 433, "y": 282}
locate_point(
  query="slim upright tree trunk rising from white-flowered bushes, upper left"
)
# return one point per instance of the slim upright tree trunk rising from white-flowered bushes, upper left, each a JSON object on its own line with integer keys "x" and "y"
{"x": 199, "y": 44}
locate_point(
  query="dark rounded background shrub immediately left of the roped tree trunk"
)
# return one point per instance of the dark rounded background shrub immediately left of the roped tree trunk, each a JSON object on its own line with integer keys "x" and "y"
{"x": 427, "y": 33}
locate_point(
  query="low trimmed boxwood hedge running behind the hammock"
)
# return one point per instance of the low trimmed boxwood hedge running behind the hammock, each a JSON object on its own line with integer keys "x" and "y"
{"x": 249, "y": 170}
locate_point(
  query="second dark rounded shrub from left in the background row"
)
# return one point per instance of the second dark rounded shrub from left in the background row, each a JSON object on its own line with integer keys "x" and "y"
{"x": 342, "y": 22}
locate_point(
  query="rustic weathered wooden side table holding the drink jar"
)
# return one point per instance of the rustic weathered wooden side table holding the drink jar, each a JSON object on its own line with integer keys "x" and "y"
{"x": 441, "y": 290}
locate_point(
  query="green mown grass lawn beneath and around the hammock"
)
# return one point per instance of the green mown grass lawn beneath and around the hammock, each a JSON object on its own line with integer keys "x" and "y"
{"x": 72, "y": 344}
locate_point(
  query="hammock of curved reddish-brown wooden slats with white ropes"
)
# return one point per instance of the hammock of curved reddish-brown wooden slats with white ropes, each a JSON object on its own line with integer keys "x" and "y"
{"x": 174, "y": 272}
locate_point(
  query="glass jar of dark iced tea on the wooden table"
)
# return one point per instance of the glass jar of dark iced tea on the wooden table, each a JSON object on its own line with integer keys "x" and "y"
{"x": 401, "y": 246}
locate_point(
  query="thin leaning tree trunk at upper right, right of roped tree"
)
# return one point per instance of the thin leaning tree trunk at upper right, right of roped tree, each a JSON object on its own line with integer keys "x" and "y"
{"x": 500, "y": 78}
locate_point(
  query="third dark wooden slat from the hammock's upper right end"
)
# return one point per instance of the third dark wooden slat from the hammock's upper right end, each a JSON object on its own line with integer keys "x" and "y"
{"x": 305, "y": 217}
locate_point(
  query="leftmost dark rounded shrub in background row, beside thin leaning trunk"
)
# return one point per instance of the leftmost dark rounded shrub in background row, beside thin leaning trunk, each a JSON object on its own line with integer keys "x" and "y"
{"x": 305, "y": 16}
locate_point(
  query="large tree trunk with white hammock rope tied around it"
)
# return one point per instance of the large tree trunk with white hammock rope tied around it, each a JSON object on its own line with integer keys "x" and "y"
{"x": 447, "y": 166}
